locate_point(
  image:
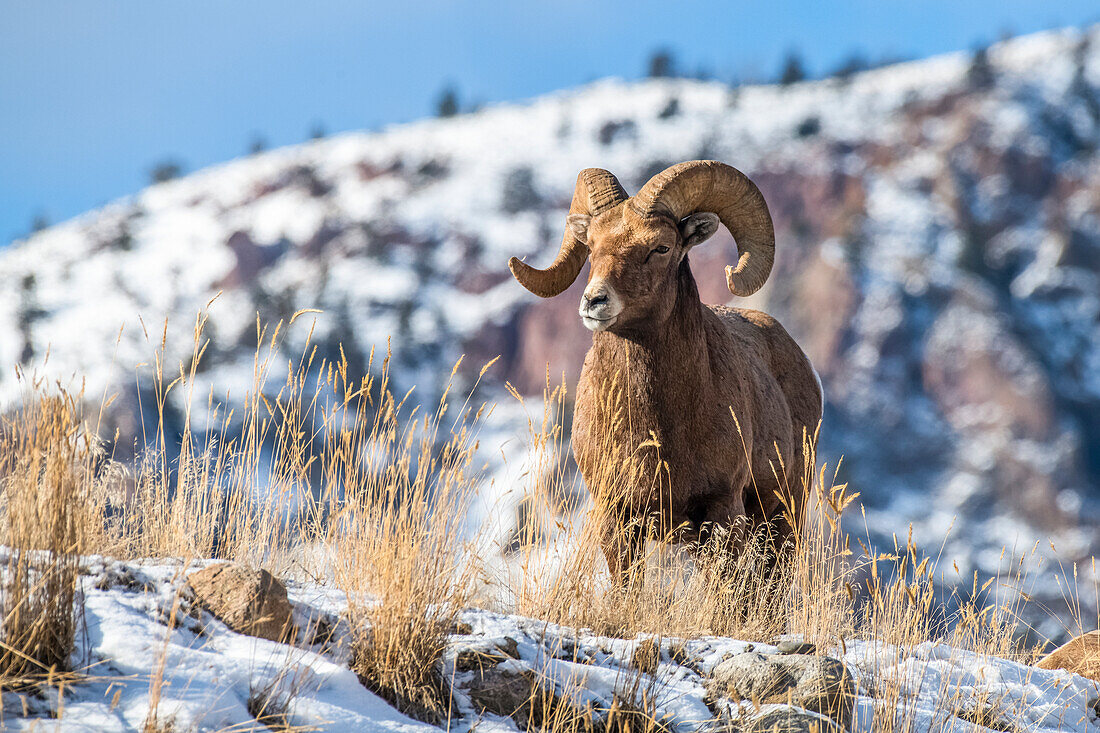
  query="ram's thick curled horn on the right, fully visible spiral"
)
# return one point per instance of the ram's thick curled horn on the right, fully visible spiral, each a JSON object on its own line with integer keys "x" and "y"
{"x": 722, "y": 190}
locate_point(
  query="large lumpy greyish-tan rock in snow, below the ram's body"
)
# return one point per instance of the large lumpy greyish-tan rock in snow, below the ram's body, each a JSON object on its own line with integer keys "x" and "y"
{"x": 821, "y": 685}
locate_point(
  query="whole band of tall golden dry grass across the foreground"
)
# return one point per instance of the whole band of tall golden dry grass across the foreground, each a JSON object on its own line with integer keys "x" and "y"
{"x": 331, "y": 476}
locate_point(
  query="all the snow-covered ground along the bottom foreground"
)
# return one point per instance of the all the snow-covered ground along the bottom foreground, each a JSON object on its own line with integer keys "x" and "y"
{"x": 206, "y": 674}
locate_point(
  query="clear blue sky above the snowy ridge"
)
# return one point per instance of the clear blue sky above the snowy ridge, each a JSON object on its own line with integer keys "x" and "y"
{"x": 93, "y": 93}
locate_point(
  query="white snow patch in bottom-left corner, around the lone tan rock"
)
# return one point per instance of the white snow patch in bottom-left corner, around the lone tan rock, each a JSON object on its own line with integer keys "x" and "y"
{"x": 207, "y": 673}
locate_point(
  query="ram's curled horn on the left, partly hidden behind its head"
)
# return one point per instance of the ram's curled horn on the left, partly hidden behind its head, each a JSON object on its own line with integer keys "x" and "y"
{"x": 597, "y": 191}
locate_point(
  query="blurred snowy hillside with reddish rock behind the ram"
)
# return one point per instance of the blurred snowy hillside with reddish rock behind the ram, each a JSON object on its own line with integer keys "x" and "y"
{"x": 939, "y": 258}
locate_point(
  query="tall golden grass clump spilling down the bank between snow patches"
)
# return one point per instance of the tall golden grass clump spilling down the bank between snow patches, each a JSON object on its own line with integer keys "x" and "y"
{"x": 397, "y": 540}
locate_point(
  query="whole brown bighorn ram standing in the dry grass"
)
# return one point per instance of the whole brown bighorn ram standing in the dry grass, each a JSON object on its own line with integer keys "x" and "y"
{"x": 725, "y": 393}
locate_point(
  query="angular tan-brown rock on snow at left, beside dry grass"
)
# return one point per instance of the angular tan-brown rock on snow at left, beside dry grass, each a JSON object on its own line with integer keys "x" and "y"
{"x": 248, "y": 601}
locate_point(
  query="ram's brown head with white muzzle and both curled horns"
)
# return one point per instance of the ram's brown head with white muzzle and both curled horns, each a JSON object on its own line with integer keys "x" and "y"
{"x": 639, "y": 245}
